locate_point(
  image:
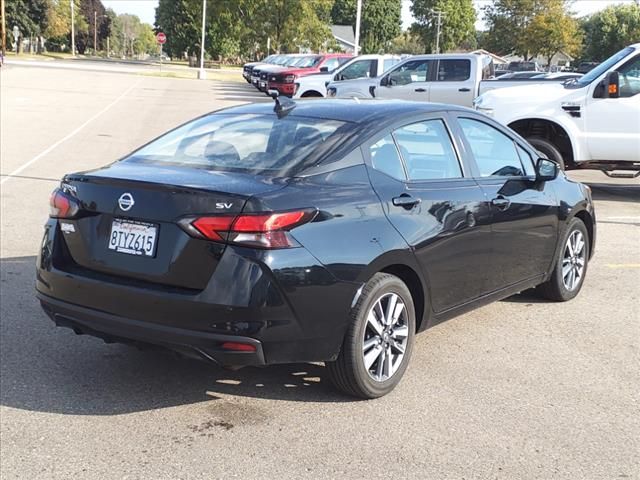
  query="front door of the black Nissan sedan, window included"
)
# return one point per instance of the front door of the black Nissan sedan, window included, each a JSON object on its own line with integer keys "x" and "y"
{"x": 524, "y": 213}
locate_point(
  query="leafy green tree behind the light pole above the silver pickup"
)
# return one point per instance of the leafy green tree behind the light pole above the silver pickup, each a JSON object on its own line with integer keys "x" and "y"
{"x": 458, "y": 23}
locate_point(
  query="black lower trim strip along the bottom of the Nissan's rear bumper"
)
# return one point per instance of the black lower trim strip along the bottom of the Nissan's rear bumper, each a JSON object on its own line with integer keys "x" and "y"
{"x": 113, "y": 328}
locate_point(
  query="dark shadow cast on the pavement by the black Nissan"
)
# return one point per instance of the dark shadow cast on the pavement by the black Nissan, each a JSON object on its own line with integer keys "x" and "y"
{"x": 49, "y": 369}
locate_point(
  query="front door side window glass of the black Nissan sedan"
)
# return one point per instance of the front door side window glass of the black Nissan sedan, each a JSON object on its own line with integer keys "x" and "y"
{"x": 495, "y": 153}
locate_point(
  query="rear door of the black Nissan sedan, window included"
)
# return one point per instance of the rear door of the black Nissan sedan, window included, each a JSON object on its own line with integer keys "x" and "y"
{"x": 417, "y": 172}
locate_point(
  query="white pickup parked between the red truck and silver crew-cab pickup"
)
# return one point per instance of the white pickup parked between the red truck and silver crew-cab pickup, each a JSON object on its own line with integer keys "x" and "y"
{"x": 362, "y": 66}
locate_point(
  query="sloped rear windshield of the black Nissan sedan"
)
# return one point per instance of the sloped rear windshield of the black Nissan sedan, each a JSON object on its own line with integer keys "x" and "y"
{"x": 250, "y": 143}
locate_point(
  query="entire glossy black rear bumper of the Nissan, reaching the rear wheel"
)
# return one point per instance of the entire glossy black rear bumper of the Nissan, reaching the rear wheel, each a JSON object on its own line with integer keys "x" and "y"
{"x": 274, "y": 299}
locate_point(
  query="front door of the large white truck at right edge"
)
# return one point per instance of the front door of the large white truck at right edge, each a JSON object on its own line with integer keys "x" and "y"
{"x": 613, "y": 124}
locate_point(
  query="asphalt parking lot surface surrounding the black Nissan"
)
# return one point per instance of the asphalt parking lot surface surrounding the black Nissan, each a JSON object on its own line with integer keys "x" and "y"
{"x": 520, "y": 389}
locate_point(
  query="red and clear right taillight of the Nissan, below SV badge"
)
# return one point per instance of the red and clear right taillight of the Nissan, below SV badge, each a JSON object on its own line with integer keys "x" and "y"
{"x": 263, "y": 230}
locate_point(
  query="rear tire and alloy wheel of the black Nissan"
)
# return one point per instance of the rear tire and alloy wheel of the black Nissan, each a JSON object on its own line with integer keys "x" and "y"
{"x": 357, "y": 371}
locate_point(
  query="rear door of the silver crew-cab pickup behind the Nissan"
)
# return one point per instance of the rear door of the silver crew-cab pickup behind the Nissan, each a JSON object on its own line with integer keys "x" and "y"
{"x": 454, "y": 82}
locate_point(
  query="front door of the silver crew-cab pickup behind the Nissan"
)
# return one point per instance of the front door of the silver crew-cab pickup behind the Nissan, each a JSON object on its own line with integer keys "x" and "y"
{"x": 408, "y": 81}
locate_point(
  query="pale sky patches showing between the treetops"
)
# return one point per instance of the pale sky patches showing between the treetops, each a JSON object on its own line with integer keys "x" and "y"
{"x": 146, "y": 9}
